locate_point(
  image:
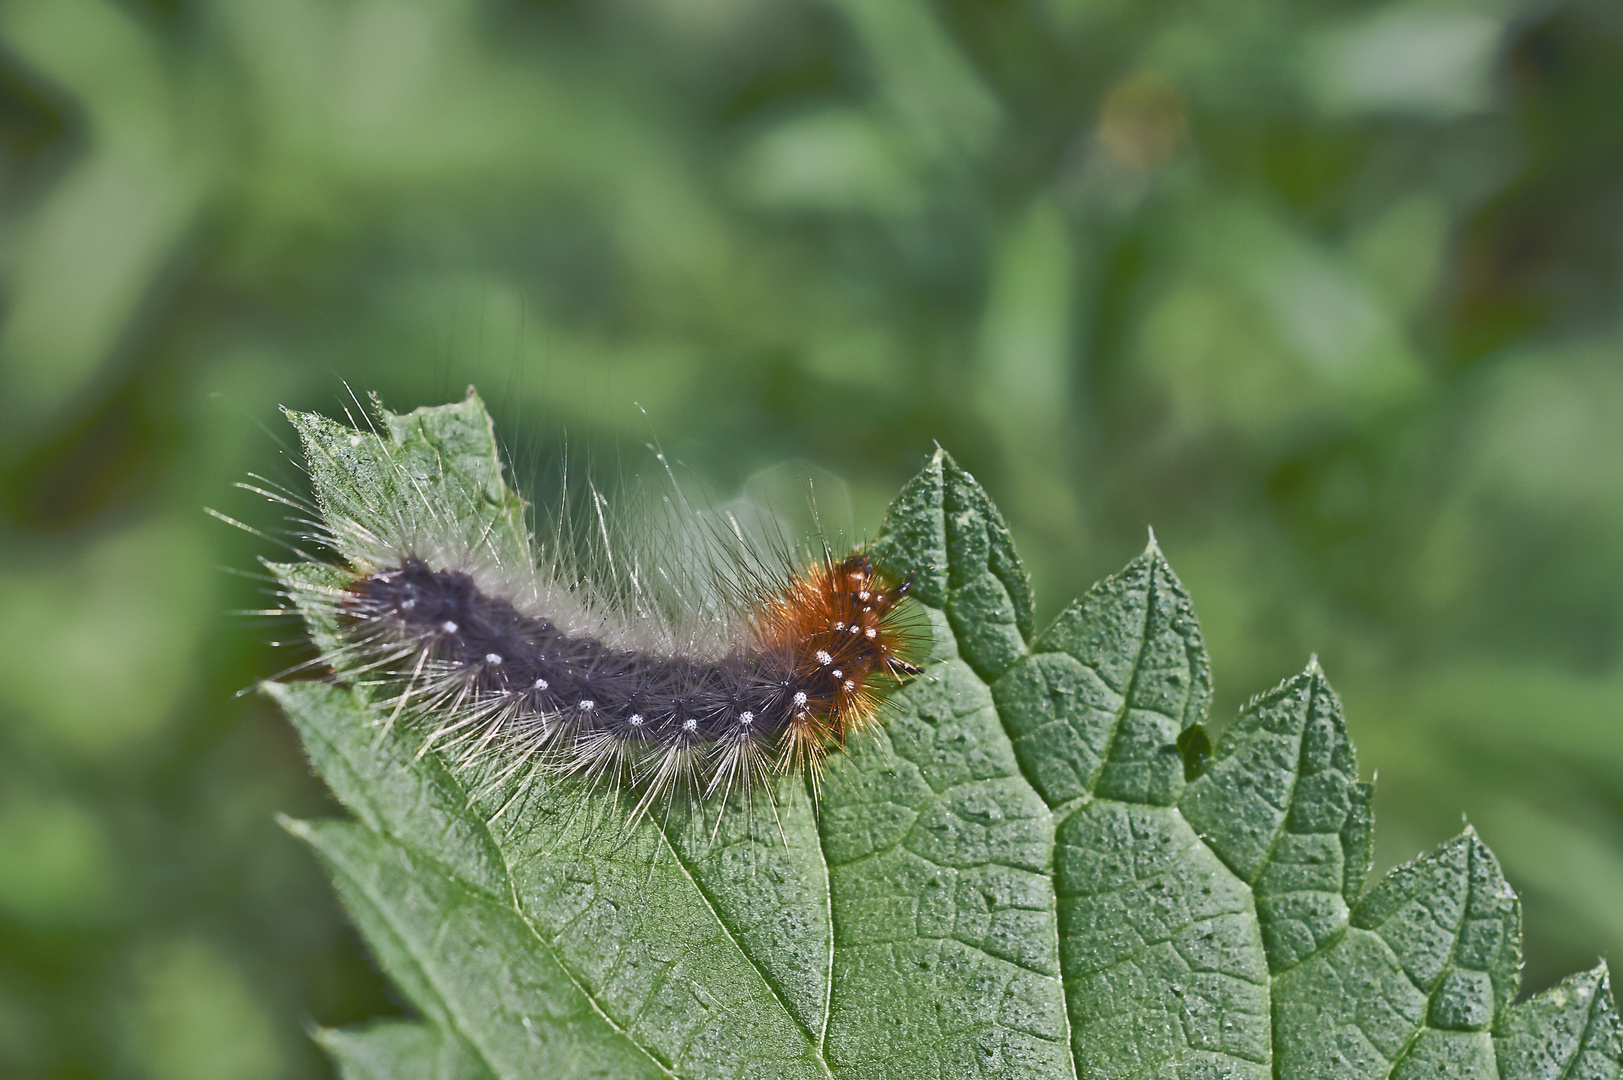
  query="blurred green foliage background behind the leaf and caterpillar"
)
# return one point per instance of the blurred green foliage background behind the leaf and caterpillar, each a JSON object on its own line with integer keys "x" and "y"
{"x": 1330, "y": 295}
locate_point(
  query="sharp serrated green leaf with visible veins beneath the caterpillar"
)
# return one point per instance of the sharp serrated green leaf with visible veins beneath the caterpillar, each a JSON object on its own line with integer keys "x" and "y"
{"x": 1035, "y": 870}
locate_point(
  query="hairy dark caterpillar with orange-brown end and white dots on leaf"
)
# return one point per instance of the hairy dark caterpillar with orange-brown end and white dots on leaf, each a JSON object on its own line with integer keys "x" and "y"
{"x": 702, "y": 675}
